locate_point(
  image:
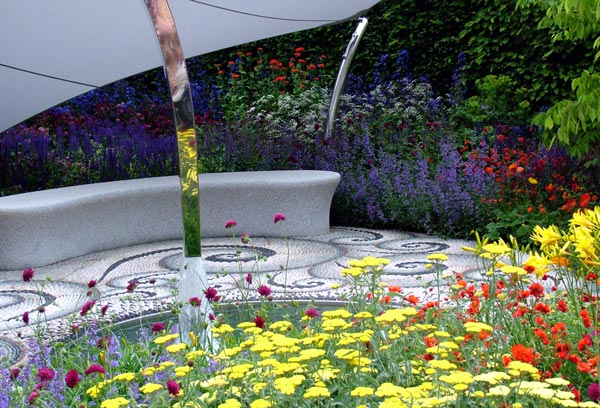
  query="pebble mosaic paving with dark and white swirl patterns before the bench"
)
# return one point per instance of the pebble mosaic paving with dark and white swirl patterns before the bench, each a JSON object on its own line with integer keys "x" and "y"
{"x": 303, "y": 268}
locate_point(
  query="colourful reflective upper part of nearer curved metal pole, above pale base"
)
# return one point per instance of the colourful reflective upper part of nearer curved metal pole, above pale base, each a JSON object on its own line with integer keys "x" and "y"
{"x": 183, "y": 111}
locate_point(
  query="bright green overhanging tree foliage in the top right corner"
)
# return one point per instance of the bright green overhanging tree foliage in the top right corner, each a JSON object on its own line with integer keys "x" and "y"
{"x": 574, "y": 122}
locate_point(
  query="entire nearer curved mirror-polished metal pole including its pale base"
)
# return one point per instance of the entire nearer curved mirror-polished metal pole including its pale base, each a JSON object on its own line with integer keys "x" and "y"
{"x": 193, "y": 279}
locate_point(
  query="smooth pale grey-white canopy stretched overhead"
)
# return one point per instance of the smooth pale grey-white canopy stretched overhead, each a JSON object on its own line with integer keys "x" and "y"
{"x": 54, "y": 50}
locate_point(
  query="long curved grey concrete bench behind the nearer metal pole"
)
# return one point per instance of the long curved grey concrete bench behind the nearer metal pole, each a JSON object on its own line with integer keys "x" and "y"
{"x": 47, "y": 226}
